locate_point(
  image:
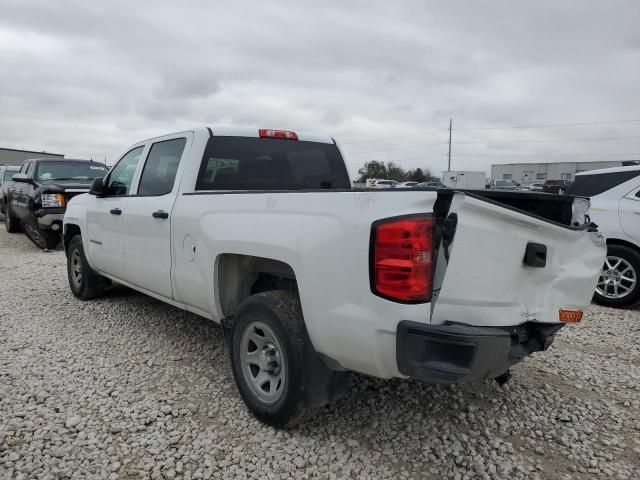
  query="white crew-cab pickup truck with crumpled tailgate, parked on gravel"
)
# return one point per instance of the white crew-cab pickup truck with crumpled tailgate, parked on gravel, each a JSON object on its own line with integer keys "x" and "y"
{"x": 260, "y": 231}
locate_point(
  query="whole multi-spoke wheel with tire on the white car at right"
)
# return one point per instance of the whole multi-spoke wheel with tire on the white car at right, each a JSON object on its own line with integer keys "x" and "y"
{"x": 619, "y": 282}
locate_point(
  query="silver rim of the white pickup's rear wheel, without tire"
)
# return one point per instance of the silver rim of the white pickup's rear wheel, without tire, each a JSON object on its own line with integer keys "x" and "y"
{"x": 262, "y": 361}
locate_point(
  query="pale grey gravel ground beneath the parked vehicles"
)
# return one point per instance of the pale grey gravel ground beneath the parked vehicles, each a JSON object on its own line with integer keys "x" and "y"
{"x": 127, "y": 387}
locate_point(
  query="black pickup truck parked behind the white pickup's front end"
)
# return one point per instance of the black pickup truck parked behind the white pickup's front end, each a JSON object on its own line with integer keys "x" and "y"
{"x": 40, "y": 193}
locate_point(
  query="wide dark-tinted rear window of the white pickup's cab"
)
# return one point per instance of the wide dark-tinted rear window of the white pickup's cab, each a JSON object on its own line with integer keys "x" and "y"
{"x": 244, "y": 163}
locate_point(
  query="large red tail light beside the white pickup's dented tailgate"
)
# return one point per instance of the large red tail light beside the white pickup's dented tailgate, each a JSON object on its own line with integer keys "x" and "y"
{"x": 401, "y": 259}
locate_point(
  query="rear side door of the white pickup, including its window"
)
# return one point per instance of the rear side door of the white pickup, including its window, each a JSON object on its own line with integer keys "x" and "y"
{"x": 147, "y": 222}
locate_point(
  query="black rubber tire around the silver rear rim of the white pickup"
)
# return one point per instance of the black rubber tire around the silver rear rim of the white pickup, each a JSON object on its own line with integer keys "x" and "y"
{"x": 280, "y": 311}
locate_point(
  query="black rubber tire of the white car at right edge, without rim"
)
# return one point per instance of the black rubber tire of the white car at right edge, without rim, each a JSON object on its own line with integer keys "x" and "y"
{"x": 632, "y": 258}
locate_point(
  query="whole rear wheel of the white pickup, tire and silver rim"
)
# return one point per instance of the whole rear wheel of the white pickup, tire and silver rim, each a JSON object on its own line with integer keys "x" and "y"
{"x": 268, "y": 342}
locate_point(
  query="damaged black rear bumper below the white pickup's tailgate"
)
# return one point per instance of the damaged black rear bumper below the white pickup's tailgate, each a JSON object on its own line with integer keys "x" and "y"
{"x": 456, "y": 353}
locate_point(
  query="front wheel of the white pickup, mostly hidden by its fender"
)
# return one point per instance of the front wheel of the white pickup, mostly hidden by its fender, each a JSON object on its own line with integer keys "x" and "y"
{"x": 88, "y": 284}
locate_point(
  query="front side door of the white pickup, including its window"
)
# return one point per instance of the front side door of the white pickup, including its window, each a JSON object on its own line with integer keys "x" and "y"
{"x": 104, "y": 216}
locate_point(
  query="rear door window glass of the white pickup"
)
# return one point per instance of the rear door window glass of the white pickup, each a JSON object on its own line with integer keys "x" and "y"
{"x": 160, "y": 169}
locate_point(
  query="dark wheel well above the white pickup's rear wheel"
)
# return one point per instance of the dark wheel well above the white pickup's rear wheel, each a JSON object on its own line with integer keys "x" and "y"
{"x": 240, "y": 276}
